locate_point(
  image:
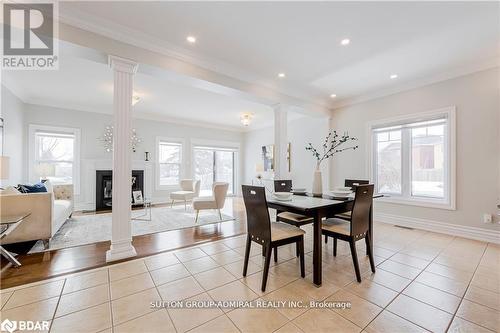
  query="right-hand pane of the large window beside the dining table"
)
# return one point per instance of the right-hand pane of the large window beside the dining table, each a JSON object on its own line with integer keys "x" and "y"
{"x": 428, "y": 161}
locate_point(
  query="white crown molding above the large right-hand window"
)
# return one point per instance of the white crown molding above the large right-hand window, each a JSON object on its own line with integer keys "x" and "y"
{"x": 421, "y": 82}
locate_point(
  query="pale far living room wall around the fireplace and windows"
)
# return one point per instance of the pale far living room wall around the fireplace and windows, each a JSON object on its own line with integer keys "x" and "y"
{"x": 92, "y": 128}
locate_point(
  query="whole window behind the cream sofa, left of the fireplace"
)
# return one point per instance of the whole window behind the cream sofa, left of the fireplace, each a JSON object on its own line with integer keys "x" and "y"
{"x": 54, "y": 154}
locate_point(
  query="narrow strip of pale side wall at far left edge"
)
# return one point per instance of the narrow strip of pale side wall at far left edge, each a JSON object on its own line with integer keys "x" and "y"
{"x": 12, "y": 111}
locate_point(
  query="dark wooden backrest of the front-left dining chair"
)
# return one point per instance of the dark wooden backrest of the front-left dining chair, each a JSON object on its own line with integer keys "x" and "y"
{"x": 258, "y": 221}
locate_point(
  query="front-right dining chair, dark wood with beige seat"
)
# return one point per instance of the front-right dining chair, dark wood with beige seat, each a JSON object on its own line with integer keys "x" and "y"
{"x": 354, "y": 229}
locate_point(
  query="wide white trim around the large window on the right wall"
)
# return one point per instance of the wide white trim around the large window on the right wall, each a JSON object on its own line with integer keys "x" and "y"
{"x": 449, "y": 202}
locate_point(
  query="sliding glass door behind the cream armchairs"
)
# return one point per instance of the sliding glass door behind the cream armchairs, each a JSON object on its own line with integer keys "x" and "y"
{"x": 214, "y": 165}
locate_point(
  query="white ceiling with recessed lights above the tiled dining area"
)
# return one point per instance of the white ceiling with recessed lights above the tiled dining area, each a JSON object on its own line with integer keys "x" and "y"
{"x": 418, "y": 41}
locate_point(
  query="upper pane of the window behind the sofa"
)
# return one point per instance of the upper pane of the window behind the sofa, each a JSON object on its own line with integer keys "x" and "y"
{"x": 53, "y": 148}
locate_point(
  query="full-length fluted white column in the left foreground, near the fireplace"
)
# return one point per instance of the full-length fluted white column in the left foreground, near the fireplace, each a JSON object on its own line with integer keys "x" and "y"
{"x": 121, "y": 233}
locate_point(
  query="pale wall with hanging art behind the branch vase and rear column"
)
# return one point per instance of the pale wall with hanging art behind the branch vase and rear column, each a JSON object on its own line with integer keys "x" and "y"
{"x": 300, "y": 132}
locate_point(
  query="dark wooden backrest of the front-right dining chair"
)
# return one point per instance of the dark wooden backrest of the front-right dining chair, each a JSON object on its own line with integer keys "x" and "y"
{"x": 360, "y": 215}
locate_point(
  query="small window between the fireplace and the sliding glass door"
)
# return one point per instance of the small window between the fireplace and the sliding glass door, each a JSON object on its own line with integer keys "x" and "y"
{"x": 169, "y": 163}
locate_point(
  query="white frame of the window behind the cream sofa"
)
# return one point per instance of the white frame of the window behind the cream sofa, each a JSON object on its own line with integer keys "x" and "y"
{"x": 33, "y": 129}
